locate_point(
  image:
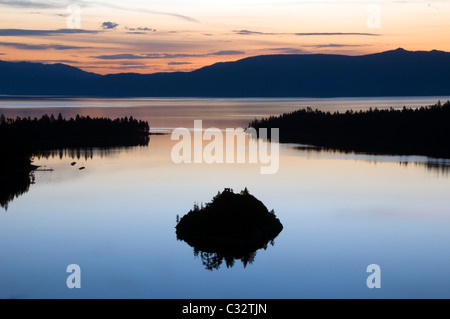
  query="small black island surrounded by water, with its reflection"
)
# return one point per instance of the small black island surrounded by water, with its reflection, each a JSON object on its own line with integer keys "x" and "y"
{"x": 232, "y": 226}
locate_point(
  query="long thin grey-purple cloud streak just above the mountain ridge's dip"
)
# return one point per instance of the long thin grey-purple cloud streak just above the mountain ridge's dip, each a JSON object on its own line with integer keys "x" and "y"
{"x": 164, "y": 55}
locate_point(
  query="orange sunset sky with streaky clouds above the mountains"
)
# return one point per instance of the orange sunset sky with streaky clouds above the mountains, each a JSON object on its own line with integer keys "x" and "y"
{"x": 149, "y": 36}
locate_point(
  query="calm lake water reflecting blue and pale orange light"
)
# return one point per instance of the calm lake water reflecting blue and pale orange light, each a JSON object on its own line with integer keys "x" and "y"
{"x": 116, "y": 219}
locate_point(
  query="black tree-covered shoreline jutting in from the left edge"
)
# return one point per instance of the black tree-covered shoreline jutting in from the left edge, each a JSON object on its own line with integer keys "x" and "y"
{"x": 21, "y": 138}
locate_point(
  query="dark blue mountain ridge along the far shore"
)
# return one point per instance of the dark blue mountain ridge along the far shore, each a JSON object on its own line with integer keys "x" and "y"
{"x": 391, "y": 73}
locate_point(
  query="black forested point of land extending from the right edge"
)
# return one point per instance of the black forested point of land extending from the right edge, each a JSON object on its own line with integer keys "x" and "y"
{"x": 421, "y": 131}
